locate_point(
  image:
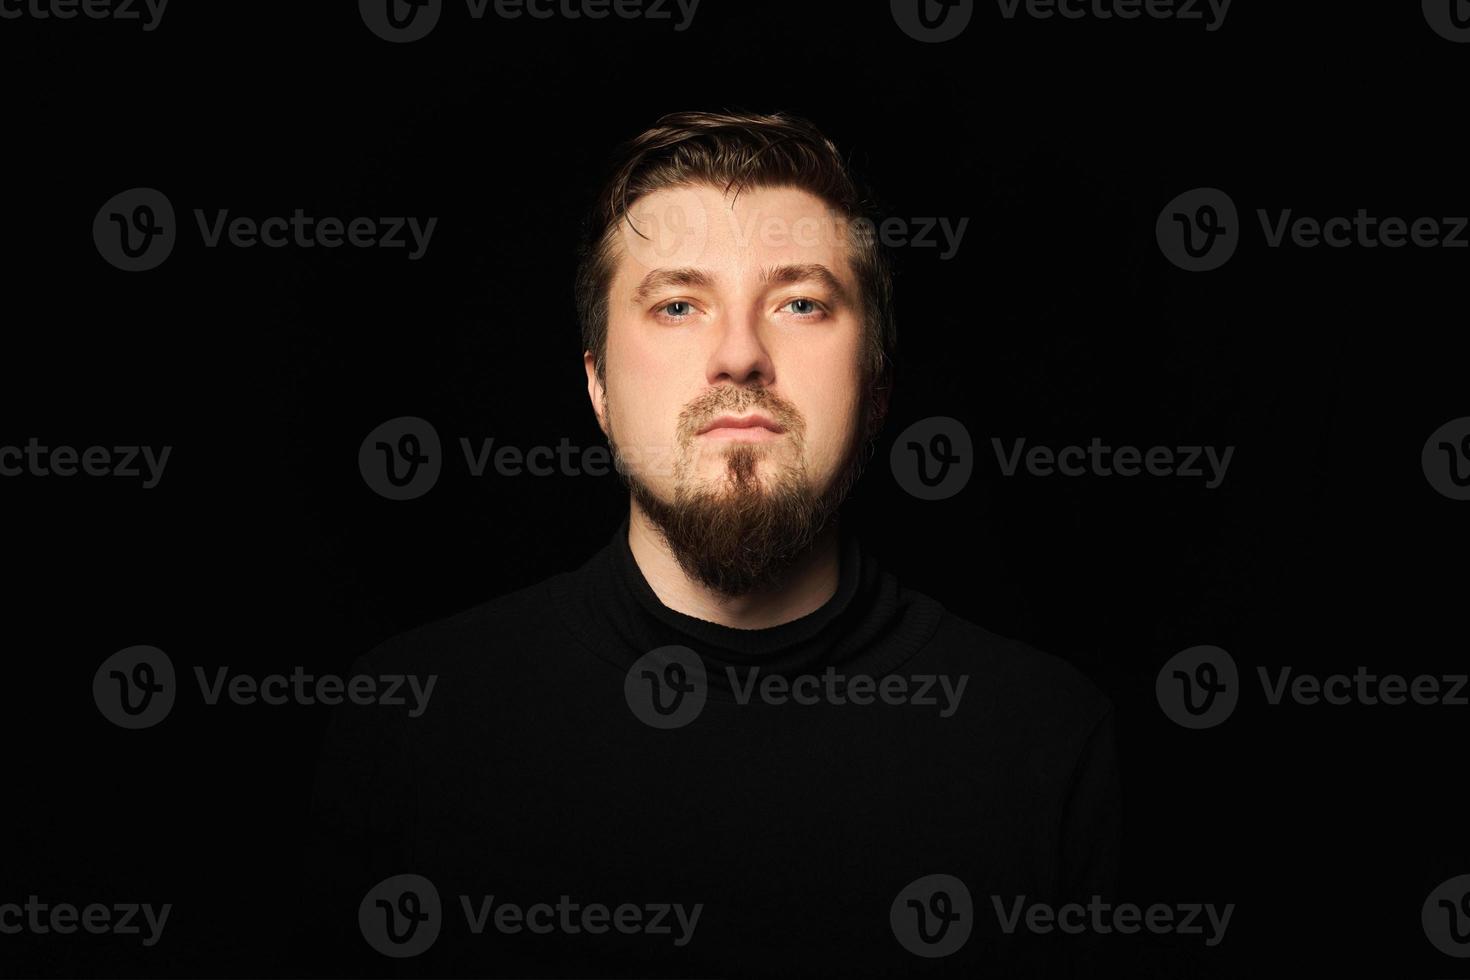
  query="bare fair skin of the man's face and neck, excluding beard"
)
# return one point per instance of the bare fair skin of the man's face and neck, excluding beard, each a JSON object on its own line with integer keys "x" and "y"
{"x": 731, "y": 292}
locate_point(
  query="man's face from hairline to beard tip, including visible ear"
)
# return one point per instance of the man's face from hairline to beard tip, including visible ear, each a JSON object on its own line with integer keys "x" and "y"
{"x": 745, "y": 311}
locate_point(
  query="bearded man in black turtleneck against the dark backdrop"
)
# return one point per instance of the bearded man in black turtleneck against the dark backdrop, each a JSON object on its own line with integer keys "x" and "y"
{"x": 728, "y": 744}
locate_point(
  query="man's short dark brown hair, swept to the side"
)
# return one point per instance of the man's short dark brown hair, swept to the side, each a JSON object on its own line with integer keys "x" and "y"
{"x": 740, "y": 151}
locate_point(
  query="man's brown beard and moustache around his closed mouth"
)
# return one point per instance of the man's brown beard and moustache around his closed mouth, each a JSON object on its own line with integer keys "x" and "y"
{"x": 740, "y": 533}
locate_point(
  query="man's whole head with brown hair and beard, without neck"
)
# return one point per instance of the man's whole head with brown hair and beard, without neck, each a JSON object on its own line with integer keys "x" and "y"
{"x": 731, "y": 273}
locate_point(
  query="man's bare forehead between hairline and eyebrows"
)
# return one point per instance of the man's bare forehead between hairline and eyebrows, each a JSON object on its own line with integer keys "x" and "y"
{"x": 730, "y": 237}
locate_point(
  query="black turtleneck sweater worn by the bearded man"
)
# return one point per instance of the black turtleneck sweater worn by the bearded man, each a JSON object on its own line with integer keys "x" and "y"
{"x": 806, "y": 777}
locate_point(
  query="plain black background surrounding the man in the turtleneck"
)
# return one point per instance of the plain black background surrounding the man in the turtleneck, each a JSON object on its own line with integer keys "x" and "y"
{"x": 1058, "y": 321}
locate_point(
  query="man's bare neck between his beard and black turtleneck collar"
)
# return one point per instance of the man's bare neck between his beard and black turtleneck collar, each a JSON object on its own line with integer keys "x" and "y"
{"x": 809, "y": 583}
